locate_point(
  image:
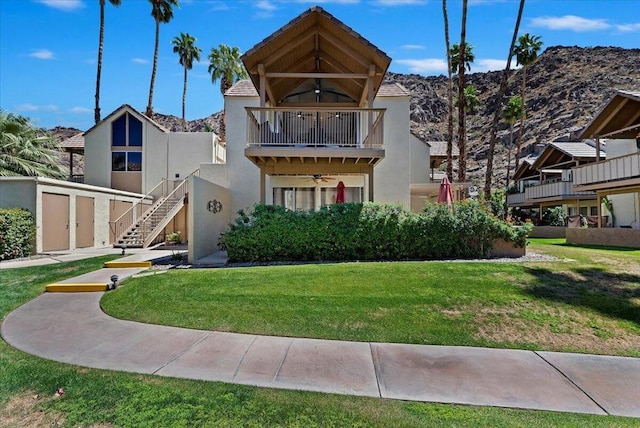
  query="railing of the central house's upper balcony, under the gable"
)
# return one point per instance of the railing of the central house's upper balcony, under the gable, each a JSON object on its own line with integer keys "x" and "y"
{"x": 315, "y": 127}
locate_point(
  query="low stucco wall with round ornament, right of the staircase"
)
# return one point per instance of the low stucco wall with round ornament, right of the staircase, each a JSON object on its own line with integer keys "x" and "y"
{"x": 206, "y": 225}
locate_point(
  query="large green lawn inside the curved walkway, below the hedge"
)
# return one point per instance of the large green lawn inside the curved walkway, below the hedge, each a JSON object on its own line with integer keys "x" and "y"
{"x": 588, "y": 301}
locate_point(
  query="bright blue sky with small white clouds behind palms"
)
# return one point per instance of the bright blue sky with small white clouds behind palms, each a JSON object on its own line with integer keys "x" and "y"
{"x": 48, "y": 48}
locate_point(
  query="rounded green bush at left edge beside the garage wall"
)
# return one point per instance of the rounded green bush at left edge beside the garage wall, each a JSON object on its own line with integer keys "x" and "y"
{"x": 17, "y": 233}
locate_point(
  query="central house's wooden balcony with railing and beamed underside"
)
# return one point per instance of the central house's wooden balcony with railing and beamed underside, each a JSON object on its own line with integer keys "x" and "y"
{"x": 315, "y": 135}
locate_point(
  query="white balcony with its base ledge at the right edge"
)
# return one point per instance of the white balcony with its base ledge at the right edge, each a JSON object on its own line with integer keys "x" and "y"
{"x": 610, "y": 174}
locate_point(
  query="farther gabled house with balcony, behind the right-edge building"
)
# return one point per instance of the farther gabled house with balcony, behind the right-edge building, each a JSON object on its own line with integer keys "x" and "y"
{"x": 546, "y": 180}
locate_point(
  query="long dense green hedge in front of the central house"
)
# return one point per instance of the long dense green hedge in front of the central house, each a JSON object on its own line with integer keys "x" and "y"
{"x": 367, "y": 231}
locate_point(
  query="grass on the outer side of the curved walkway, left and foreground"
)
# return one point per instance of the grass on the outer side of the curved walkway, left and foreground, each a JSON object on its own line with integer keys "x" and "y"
{"x": 119, "y": 399}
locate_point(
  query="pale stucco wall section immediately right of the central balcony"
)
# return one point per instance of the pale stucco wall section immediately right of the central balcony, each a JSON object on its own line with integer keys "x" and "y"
{"x": 392, "y": 176}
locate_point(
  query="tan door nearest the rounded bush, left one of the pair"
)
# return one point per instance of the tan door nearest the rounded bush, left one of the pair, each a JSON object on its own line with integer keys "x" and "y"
{"x": 55, "y": 222}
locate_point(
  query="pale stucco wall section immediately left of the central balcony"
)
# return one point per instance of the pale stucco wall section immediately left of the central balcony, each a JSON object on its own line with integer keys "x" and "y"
{"x": 243, "y": 176}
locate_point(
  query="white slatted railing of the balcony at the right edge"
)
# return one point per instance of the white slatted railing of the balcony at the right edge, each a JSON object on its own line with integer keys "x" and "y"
{"x": 624, "y": 167}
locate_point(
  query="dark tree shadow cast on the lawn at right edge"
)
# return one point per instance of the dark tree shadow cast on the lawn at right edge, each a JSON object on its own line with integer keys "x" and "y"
{"x": 614, "y": 295}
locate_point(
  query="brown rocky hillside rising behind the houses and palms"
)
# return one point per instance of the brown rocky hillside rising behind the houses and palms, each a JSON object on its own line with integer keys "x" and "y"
{"x": 565, "y": 88}
